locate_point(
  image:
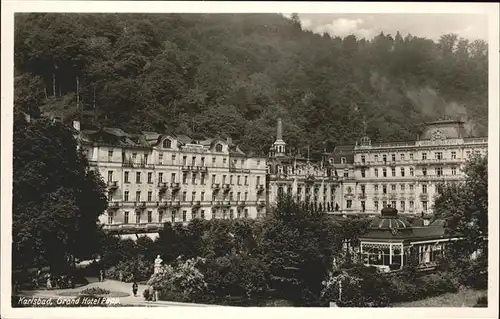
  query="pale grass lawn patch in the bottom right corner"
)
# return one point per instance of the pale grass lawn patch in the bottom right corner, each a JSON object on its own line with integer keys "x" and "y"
{"x": 463, "y": 298}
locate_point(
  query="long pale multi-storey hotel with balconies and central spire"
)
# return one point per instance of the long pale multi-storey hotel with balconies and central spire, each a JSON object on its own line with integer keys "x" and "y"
{"x": 154, "y": 178}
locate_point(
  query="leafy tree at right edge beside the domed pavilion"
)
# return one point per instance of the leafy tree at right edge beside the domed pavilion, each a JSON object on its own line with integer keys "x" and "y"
{"x": 464, "y": 207}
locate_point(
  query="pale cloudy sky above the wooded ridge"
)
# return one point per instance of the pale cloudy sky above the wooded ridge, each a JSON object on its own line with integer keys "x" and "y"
{"x": 469, "y": 26}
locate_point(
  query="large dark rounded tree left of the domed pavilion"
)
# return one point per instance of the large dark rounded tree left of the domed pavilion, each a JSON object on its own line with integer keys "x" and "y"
{"x": 297, "y": 245}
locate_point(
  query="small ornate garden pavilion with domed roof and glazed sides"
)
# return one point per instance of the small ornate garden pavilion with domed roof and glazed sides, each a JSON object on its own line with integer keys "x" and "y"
{"x": 391, "y": 241}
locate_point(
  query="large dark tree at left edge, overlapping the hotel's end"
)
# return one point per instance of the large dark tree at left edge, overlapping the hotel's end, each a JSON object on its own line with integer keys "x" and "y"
{"x": 57, "y": 198}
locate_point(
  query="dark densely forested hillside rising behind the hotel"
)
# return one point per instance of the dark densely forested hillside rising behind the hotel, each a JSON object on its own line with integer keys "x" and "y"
{"x": 211, "y": 74}
